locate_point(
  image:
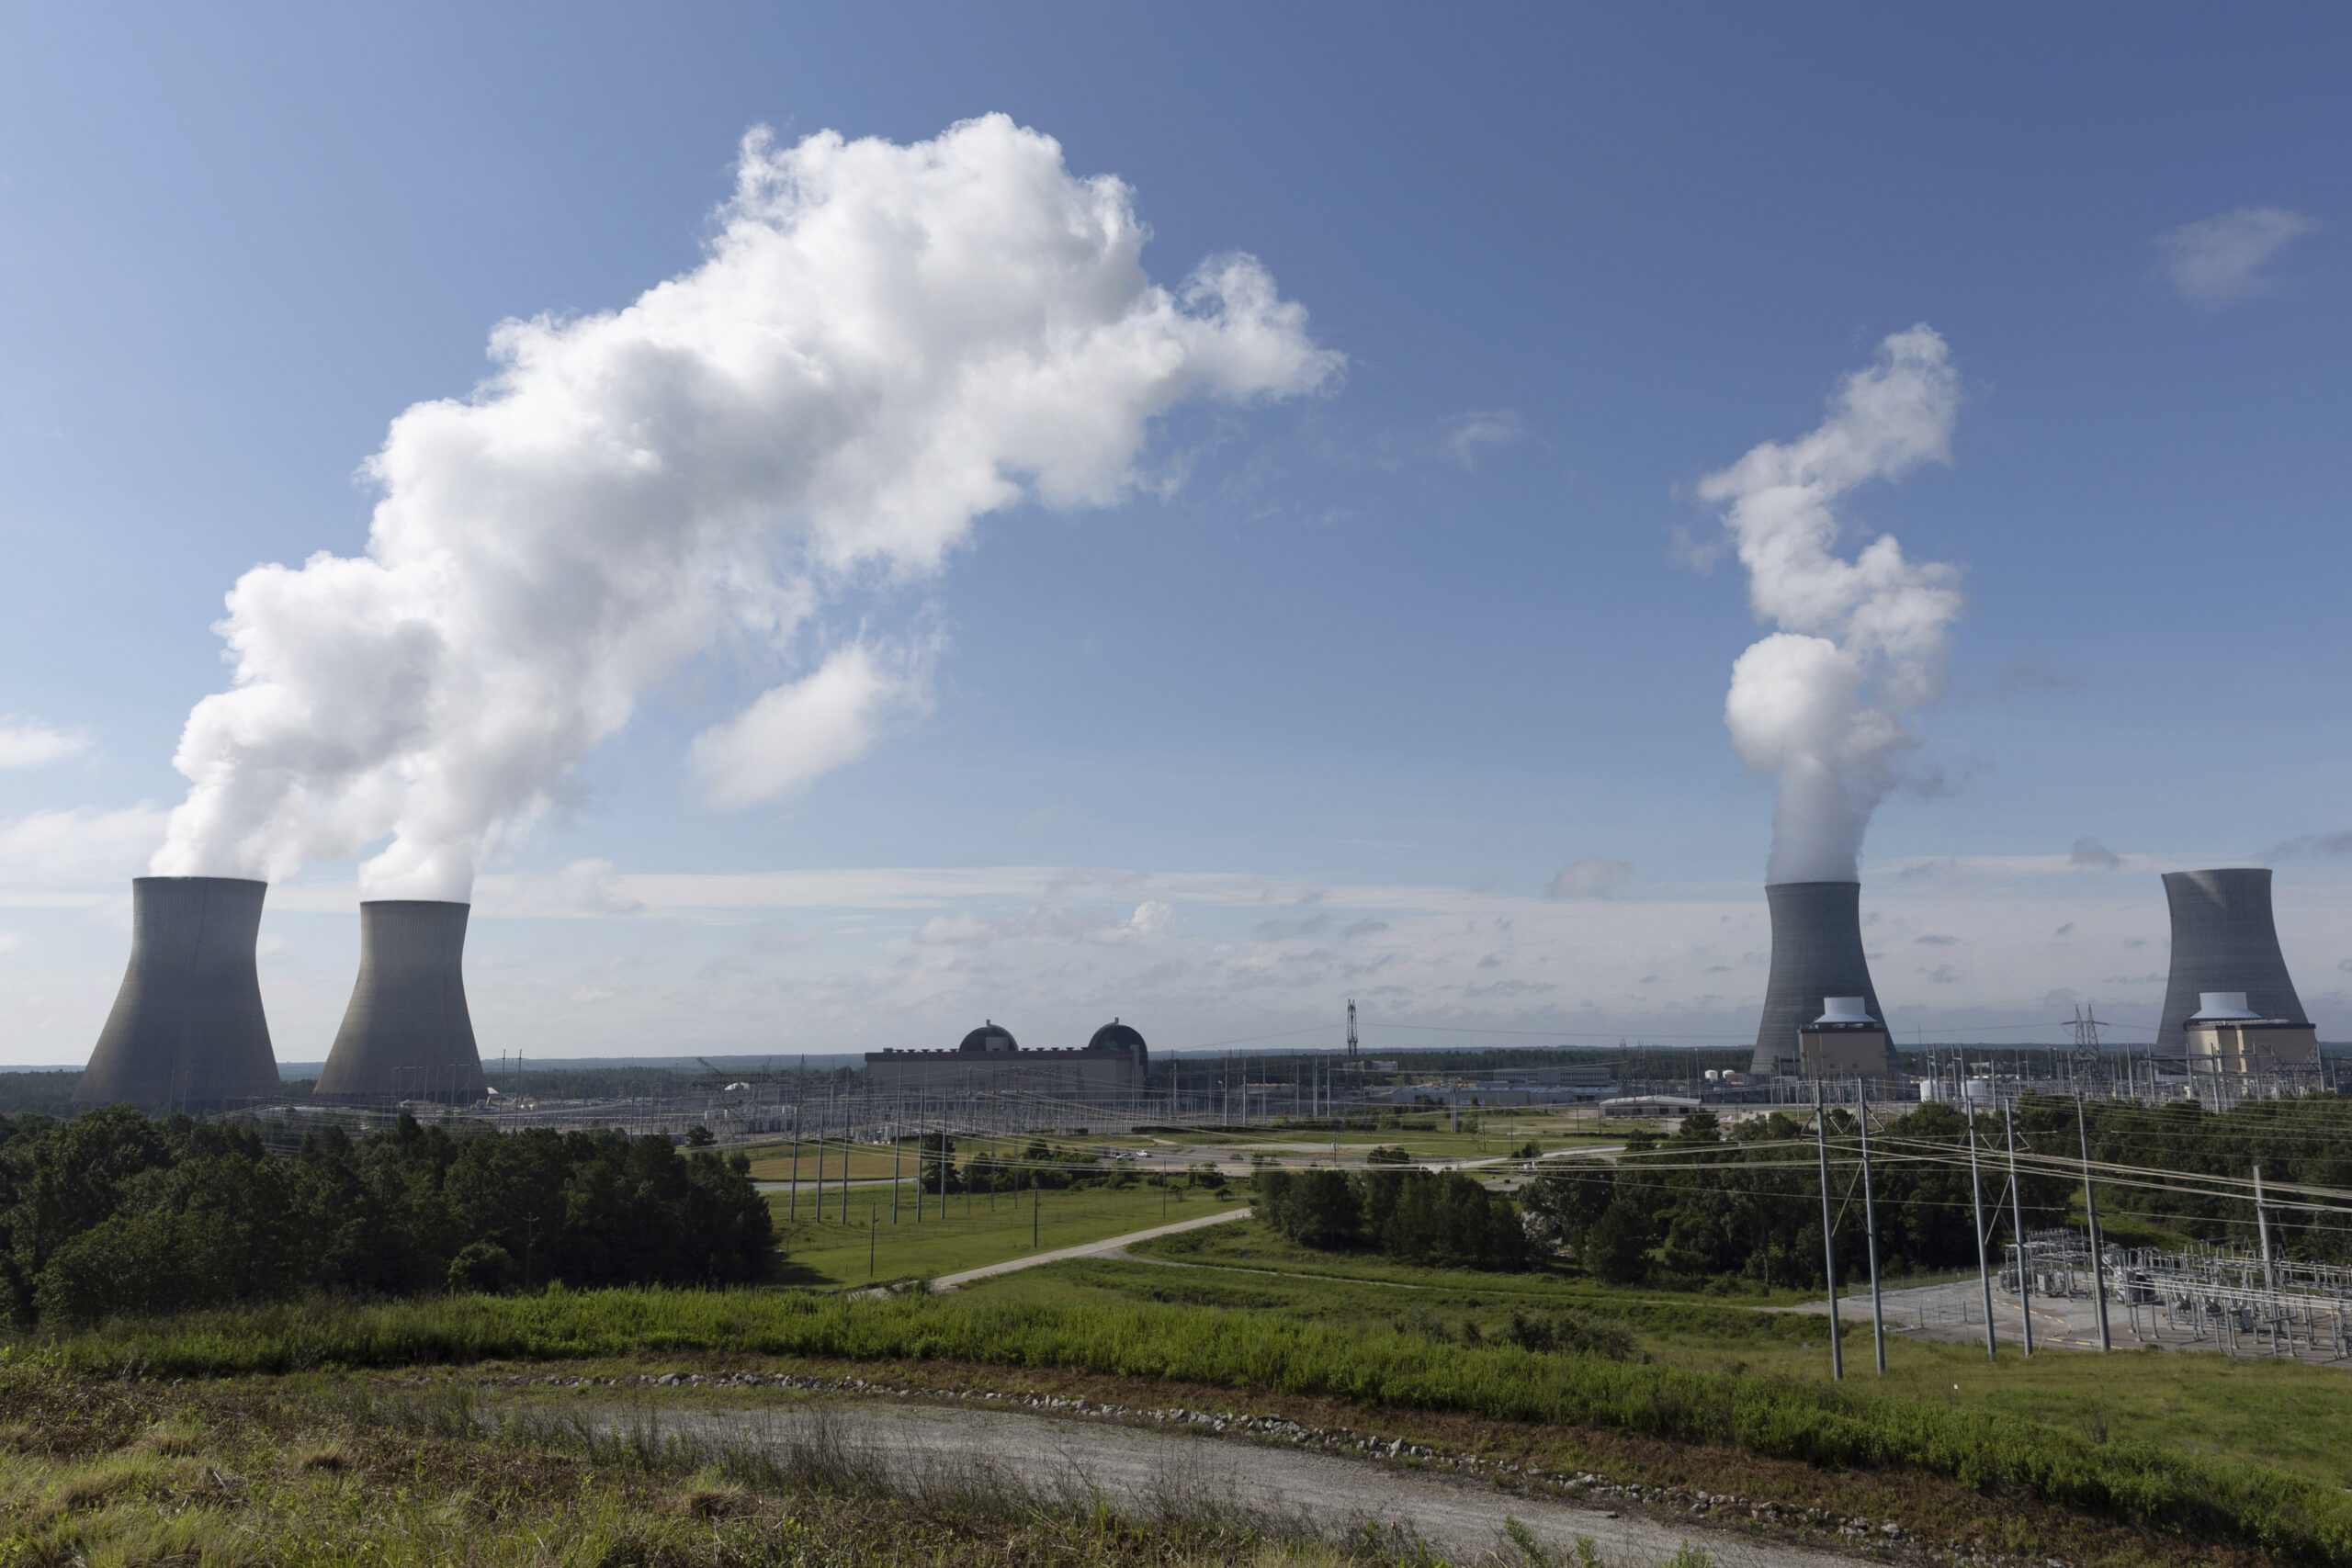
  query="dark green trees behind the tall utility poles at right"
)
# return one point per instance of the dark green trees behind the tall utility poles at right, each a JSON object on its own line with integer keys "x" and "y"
{"x": 1706, "y": 1205}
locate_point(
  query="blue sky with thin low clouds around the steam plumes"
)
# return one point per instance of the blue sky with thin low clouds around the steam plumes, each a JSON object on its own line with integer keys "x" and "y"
{"x": 1389, "y": 652}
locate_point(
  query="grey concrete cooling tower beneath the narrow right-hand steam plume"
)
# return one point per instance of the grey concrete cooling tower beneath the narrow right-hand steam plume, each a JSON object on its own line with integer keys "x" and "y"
{"x": 1817, "y": 956}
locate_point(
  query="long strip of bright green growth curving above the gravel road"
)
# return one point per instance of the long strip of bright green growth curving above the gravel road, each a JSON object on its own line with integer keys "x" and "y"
{"x": 2123, "y": 1477}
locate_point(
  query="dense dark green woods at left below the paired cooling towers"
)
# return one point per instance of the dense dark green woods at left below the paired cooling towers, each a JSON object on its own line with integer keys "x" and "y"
{"x": 114, "y": 1212}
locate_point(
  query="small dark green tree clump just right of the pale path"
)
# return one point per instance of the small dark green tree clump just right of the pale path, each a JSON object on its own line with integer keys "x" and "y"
{"x": 1417, "y": 1217}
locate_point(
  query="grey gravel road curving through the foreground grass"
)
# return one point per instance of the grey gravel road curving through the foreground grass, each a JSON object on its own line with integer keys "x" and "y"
{"x": 930, "y": 1449}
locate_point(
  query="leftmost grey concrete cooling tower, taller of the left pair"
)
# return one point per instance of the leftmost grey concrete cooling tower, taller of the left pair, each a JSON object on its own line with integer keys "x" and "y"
{"x": 187, "y": 1031}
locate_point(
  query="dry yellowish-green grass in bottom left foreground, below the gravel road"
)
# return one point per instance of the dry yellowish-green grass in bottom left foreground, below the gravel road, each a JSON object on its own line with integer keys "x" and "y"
{"x": 243, "y": 1475}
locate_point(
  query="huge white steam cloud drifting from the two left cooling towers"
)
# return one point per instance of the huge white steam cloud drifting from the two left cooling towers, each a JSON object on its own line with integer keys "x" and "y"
{"x": 881, "y": 344}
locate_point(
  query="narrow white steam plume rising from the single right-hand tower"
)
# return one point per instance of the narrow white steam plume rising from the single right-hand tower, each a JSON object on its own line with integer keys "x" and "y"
{"x": 1862, "y": 645}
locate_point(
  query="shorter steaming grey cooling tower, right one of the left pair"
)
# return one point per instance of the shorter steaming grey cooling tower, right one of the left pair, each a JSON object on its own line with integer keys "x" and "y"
{"x": 406, "y": 1033}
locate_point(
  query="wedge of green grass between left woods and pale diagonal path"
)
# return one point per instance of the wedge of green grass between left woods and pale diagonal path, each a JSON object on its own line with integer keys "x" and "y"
{"x": 973, "y": 1233}
